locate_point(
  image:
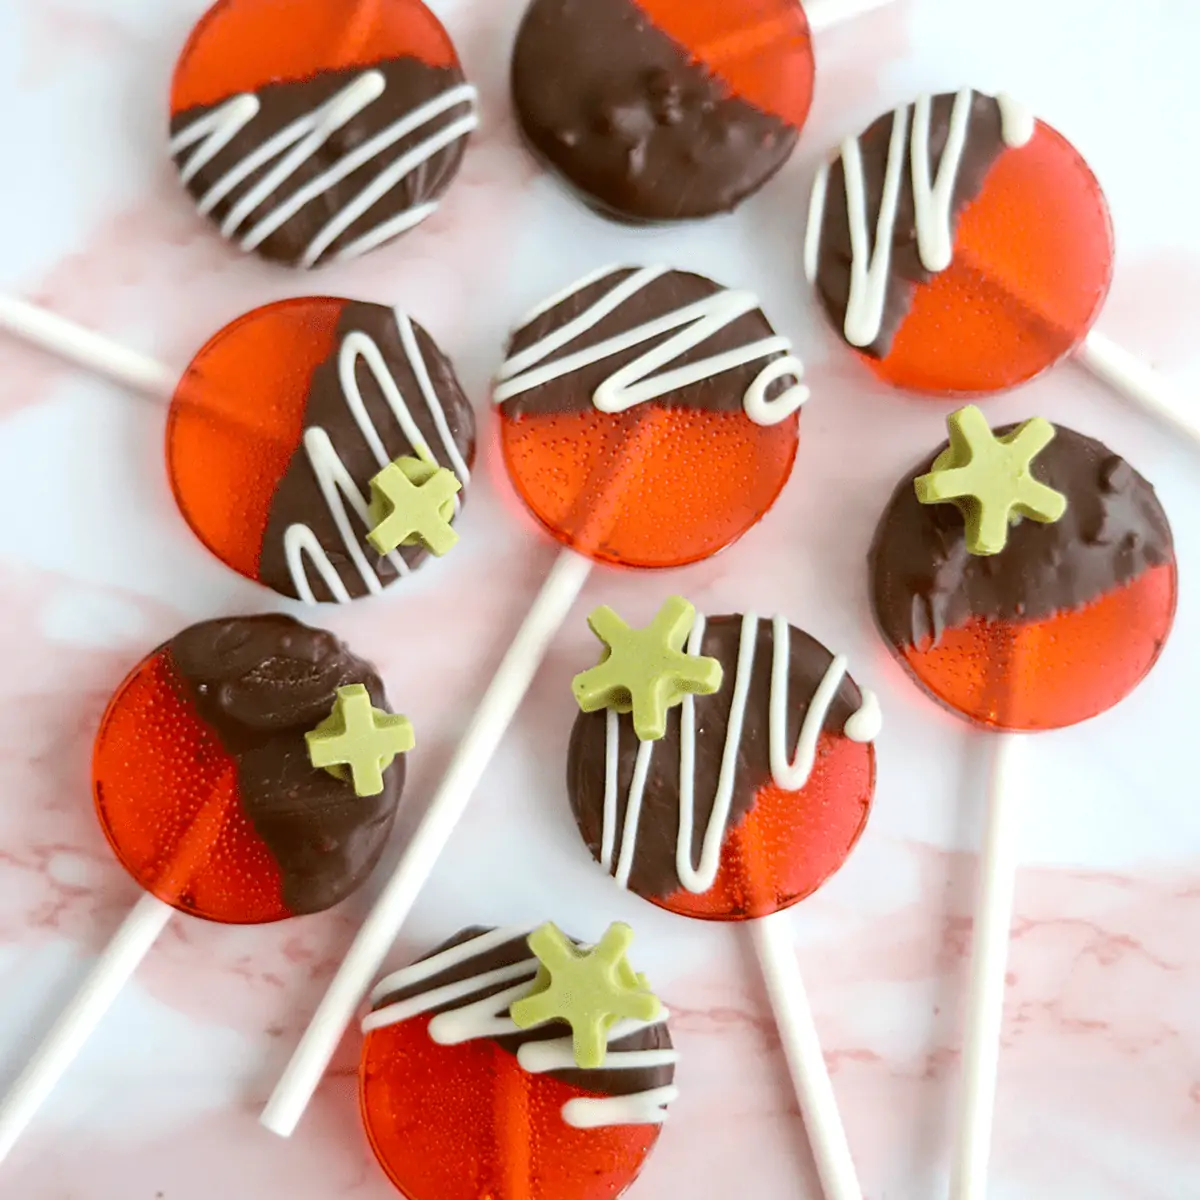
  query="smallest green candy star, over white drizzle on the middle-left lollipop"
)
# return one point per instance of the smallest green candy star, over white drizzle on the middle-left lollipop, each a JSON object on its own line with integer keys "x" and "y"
{"x": 412, "y": 505}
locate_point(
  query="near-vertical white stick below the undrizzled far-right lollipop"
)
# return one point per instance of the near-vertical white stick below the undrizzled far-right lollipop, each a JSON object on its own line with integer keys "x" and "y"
{"x": 989, "y": 965}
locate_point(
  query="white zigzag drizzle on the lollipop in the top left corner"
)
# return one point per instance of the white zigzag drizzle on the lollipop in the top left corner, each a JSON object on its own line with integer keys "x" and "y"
{"x": 298, "y": 142}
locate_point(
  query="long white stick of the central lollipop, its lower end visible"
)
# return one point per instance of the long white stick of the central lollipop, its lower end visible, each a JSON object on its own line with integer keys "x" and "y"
{"x": 362, "y": 965}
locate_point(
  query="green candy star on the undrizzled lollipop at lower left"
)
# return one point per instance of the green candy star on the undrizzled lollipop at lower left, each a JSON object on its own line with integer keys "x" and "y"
{"x": 359, "y": 740}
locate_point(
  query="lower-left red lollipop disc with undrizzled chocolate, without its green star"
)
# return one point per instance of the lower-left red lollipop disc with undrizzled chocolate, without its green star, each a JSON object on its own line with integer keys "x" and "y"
{"x": 203, "y": 783}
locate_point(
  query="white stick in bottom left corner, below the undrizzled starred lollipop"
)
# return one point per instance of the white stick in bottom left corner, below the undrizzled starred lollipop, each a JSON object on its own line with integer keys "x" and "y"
{"x": 122, "y": 957}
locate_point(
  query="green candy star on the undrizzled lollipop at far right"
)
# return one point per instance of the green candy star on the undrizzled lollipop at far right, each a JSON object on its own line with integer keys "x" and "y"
{"x": 991, "y": 479}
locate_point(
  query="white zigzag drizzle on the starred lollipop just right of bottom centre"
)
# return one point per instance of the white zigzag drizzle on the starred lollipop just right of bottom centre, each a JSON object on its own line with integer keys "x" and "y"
{"x": 788, "y": 773}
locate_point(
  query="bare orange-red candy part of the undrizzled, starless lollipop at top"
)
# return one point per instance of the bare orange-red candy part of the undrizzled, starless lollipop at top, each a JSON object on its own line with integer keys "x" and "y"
{"x": 761, "y": 50}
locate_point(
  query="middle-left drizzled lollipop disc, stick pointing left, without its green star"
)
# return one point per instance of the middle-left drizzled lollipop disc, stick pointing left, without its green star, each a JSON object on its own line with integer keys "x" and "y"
{"x": 283, "y": 421}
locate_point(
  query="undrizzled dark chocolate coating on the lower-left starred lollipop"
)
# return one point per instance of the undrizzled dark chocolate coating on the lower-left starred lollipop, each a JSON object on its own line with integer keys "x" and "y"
{"x": 262, "y": 683}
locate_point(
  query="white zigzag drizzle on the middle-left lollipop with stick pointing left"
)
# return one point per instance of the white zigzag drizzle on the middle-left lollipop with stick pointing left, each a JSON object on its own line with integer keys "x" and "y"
{"x": 335, "y": 482}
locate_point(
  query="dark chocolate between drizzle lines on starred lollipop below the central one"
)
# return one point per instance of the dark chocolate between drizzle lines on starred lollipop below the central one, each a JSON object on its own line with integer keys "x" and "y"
{"x": 655, "y": 863}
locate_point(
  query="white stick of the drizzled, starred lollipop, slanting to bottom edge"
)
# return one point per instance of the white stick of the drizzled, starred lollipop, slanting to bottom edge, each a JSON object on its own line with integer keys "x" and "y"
{"x": 806, "y": 1060}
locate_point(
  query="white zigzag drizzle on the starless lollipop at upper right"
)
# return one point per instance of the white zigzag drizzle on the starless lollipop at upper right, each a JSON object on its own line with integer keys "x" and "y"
{"x": 933, "y": 197}
